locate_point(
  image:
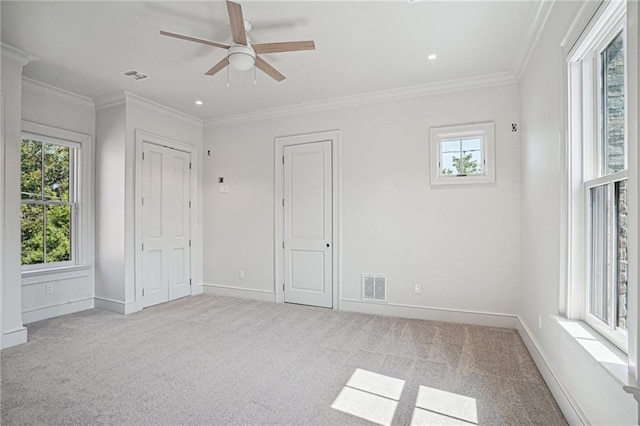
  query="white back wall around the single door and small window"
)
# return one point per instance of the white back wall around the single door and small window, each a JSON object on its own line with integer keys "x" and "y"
{"x": 460, "y": 243}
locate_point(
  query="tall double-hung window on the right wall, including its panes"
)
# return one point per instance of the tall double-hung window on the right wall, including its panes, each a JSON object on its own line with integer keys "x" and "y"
{"x": 599, "y": 149}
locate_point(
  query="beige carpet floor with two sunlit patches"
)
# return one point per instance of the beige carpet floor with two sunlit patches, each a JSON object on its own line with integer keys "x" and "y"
{"x": 226, "y": 361}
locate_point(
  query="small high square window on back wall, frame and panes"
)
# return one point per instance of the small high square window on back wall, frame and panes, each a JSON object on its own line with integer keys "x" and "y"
{"x": 462, "y": 154}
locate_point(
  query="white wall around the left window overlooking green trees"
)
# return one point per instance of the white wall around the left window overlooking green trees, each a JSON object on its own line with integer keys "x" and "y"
{"x": 72, "y": 290}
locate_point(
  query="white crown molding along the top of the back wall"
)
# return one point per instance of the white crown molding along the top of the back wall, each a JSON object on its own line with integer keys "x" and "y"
{"x": 366, "y": 98}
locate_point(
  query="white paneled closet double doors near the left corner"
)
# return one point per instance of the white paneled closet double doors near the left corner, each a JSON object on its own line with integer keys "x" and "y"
{"x": 166, "y": 253}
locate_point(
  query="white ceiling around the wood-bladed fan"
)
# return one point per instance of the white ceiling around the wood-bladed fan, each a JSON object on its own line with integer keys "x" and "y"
{"x": 361, "y": 46}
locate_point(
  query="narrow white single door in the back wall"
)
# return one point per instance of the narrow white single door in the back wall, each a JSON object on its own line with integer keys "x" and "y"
{"x": 308, "y": 224}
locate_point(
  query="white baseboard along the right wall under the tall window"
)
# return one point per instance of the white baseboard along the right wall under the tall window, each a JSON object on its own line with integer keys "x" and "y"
{"x": 563, "y": 397}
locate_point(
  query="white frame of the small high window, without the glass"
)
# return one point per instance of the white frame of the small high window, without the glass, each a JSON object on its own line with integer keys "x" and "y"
{"x": 485, "y": 131}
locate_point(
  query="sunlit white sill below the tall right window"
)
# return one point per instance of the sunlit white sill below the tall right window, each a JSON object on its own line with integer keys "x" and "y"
{"x": 603, "y": 352}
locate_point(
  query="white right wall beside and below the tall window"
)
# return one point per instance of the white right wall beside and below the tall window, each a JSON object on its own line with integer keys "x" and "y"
{"x": 594, "y": 392}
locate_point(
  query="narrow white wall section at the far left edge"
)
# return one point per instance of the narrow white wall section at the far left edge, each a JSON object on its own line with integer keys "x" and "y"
{"x": 13, "y": 332}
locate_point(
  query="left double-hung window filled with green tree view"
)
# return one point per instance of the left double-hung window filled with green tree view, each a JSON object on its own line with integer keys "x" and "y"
{"x": 49, "y": 206}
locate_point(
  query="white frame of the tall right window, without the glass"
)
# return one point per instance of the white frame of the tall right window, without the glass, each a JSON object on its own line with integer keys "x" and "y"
{"x": 587, "y": 168}
